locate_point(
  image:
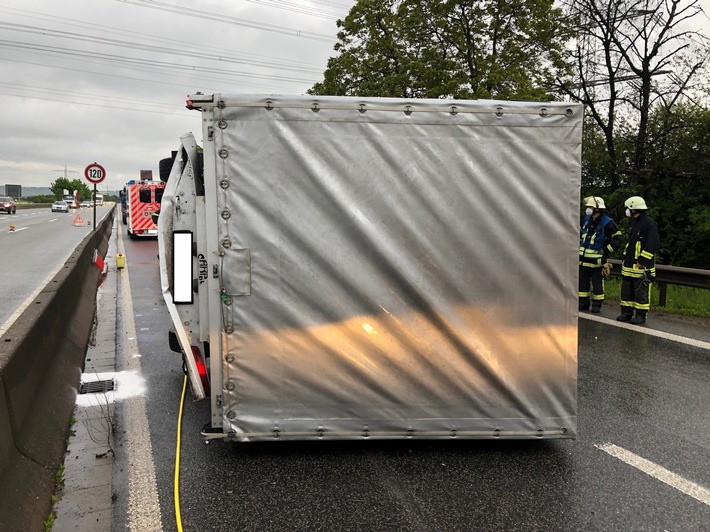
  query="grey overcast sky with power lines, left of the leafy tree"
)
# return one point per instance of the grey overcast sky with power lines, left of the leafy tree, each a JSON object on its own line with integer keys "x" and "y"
{"x": 106, "y": 81}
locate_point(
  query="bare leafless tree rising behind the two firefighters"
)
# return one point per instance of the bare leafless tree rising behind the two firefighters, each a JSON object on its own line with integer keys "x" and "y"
{"x": 631, "y": 56}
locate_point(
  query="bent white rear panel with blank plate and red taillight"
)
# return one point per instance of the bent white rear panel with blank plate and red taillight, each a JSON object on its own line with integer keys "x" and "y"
{"x": 175, "y": 244}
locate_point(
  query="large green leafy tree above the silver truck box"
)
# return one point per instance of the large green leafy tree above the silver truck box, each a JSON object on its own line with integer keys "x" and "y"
{"x": 454, "y": 48}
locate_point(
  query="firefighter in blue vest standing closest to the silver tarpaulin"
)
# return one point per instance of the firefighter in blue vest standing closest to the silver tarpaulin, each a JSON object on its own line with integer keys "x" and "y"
{"x": 599, "y": 237}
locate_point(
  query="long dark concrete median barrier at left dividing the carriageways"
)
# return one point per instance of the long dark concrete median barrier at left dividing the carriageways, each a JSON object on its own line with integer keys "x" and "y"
{"x": 41, "y": 359}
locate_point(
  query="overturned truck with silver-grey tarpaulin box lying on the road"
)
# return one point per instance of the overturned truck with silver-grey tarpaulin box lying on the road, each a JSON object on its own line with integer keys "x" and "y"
{"x": 376, "y": 268}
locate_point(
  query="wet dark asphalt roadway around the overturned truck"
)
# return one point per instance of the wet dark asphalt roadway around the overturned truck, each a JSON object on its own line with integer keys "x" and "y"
{"x": 648, "y": 396}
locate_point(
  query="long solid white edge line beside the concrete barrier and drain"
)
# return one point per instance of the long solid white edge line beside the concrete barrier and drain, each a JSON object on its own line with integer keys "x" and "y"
{"x": 143, "y": 504}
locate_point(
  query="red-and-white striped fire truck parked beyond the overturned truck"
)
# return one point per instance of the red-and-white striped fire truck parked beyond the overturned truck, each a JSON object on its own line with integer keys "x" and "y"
{"x": 142, "y": 206}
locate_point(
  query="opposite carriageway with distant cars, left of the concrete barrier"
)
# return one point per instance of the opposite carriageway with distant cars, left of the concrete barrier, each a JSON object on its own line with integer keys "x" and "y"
{"x": 33, "y": 253}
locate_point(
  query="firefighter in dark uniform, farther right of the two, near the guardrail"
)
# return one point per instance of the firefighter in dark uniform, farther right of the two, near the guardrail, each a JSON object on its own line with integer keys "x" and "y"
{"x": 639, "y": 267}
